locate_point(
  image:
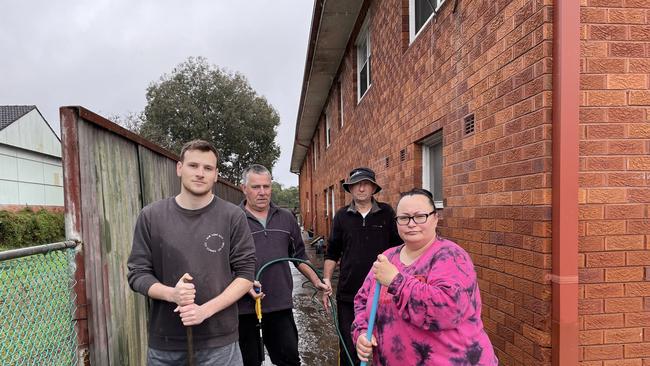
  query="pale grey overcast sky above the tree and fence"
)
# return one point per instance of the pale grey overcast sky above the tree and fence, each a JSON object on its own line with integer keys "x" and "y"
{"x": 102, "y": 54}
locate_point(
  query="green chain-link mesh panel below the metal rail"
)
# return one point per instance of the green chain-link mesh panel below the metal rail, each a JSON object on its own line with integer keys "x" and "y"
{"x": 37, "y": 309}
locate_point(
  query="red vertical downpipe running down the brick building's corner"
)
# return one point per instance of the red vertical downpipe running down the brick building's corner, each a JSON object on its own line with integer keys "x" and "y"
{"x": 566, "y": 104}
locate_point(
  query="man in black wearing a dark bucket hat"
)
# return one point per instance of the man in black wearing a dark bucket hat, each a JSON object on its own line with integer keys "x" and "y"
{"x": 360, "y": 231}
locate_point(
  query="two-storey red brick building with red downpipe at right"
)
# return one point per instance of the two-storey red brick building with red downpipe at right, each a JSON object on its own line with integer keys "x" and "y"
{"x": 530, "y": 122}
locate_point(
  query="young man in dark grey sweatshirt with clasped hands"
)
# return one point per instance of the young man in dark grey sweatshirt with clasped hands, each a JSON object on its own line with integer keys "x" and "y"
{"x": 194, "y": 257}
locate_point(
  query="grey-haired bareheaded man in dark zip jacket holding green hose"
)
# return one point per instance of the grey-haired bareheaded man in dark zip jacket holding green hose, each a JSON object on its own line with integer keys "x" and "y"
{"x": 277, "y": 235}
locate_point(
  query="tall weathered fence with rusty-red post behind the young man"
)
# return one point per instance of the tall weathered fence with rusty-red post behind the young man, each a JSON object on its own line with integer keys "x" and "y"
{"x": 109, "y": 175}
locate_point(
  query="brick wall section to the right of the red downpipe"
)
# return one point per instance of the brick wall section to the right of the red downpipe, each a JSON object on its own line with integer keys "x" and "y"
{"x": 615, "y": 183}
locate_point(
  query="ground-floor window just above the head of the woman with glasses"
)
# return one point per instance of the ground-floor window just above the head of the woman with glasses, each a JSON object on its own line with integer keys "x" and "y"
{"x": 432, "y": 166}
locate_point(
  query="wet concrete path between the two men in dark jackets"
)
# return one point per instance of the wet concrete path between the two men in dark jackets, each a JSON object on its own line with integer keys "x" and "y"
{"x": 318, "y": 341}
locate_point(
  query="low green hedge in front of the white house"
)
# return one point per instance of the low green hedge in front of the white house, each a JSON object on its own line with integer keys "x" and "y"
{"x": 27, "y": 228}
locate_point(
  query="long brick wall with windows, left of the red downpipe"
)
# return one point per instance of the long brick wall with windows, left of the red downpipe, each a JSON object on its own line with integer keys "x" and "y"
{"x": 490, "y": 58}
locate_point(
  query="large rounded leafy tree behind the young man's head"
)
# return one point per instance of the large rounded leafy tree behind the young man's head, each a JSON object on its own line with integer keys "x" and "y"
{"x": 200, "y": 101}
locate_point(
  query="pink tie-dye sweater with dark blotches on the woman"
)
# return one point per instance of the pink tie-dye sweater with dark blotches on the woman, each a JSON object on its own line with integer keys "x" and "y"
{"x": 430, "y": 314}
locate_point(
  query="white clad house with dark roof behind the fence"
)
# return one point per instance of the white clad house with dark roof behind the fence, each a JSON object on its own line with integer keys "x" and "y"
{"x": 30, "y": 159}
